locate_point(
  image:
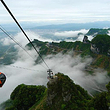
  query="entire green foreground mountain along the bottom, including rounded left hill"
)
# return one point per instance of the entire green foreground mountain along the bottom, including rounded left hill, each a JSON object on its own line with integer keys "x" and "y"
{"x": 61, "y": 94}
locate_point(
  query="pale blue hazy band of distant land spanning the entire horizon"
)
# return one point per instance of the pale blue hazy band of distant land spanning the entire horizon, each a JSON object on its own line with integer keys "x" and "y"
{"x": 12, "y": 28}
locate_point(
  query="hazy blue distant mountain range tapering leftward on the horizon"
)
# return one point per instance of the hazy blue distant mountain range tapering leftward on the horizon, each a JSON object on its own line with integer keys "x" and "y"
{"x": 75, "y": 26}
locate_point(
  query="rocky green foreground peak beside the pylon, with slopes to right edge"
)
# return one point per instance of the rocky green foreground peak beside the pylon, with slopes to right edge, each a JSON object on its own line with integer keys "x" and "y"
{"x": 79, "y": 99}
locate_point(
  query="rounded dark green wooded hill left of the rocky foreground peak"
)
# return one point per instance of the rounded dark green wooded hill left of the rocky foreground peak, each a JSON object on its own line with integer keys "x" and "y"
{"x": 25, "y": 96}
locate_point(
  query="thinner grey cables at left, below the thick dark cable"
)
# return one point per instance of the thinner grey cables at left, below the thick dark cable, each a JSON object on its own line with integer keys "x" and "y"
{"x": 5, "y": 32}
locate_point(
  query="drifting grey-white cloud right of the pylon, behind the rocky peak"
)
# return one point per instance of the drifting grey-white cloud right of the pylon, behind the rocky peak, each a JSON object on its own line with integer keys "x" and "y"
{"x": 74, "y": 67}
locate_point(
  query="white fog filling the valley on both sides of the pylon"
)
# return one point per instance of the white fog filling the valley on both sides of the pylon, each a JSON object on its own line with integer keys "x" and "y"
{"x": 24, "y": 70}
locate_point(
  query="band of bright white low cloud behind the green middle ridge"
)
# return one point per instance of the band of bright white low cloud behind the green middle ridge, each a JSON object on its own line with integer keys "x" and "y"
{"x": 58, "y": 36}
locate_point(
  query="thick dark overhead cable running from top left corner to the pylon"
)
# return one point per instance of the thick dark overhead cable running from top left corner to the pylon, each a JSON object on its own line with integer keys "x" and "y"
{"x": 23, "y": 31}
